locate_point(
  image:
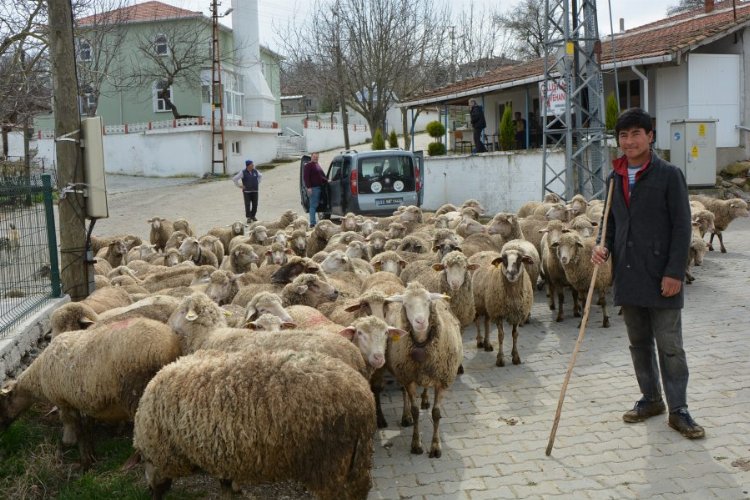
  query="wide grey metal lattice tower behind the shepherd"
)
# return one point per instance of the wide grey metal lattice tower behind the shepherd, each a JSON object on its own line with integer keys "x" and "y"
{"x": 572, "y": 52}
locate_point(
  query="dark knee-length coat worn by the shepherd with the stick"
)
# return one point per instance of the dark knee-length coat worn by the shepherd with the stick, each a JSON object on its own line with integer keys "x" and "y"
{"x": 648, "y": 233}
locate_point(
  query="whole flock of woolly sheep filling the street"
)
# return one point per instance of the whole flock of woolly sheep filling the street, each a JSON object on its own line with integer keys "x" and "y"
{"x": 258, "y": 353}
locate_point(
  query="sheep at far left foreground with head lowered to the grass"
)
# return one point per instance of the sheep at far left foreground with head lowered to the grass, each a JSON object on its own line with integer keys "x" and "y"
{"x": 100, "y": 374}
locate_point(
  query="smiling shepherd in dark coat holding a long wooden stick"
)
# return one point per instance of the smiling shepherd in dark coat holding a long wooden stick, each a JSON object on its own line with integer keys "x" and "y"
{"x": 648, "y": 237}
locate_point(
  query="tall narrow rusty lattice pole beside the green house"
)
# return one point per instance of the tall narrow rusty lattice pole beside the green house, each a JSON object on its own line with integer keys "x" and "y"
{"x": 217, "y": 97}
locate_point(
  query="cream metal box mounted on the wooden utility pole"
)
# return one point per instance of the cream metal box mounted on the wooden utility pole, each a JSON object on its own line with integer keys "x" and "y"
{"x": 93, "y": 168}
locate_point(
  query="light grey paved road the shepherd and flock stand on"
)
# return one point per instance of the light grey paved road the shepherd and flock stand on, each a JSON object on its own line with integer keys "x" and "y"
{"x": 496, "y": 421}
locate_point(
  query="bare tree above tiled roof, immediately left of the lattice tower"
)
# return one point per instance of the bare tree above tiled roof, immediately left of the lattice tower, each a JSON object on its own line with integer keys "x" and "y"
{"x": 525, "y": 24}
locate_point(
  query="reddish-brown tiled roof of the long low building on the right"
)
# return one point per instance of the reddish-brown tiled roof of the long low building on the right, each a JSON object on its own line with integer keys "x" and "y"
{"x": 667, "y": 37}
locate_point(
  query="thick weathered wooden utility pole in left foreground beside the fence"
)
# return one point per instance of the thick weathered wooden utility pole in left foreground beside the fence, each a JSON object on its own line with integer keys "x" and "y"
{"x": 70, "y": 178}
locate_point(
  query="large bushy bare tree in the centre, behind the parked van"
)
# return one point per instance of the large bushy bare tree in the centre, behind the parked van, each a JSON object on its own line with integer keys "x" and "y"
{"x": 372, "y": 51}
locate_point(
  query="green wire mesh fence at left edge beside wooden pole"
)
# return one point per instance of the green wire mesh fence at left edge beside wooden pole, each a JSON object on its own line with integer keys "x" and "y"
{"x": 29, "y": 270}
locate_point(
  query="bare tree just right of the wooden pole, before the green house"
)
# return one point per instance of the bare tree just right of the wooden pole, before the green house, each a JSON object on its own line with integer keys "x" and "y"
{"x": 99, "y": 38}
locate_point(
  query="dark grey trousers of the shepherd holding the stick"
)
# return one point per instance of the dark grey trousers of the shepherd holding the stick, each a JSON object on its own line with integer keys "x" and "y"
{"x": 647, "y": 326}
